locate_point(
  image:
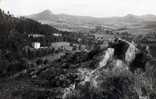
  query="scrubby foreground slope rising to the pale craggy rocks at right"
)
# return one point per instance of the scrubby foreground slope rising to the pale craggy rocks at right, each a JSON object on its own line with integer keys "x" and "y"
{"x": 110, "y": 73}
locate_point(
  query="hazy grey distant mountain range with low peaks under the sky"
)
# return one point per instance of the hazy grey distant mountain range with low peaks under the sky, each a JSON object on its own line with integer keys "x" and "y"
{"x": 145, "y": 23}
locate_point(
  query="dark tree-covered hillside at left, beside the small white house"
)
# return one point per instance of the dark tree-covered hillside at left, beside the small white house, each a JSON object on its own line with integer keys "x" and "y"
{"x": 14, "y": 37}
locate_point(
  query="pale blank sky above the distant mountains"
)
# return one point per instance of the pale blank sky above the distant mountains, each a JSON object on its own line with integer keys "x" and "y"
{"x": 95, "y": 8}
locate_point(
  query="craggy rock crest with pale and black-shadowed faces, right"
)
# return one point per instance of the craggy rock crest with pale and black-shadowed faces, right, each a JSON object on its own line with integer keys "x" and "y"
{"x": 122, "y": 51}
